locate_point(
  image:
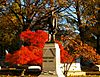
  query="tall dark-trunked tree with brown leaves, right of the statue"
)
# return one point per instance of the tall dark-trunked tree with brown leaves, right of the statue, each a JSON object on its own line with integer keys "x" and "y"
{"x": 82, "y": 15}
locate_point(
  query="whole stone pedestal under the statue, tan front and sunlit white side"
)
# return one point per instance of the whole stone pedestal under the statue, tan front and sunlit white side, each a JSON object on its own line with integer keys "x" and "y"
{"x": 51, "y": 61}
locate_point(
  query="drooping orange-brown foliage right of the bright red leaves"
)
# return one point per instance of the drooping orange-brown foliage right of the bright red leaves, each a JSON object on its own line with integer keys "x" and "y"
{"x": 77, "y": 48}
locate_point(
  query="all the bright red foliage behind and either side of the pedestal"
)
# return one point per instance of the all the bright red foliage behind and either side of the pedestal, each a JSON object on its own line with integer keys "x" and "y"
{"x": 32, "y": 53}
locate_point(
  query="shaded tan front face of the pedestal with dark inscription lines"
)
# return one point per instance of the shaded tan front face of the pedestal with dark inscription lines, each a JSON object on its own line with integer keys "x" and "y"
{"x": 49, "y": 59}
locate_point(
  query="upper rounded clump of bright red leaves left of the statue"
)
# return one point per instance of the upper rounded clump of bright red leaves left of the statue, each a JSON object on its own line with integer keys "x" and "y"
{"x": 37, "y": 38}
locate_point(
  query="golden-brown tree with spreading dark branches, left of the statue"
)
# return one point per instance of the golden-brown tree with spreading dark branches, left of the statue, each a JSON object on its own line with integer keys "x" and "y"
{"x": 26, "y": 14}
